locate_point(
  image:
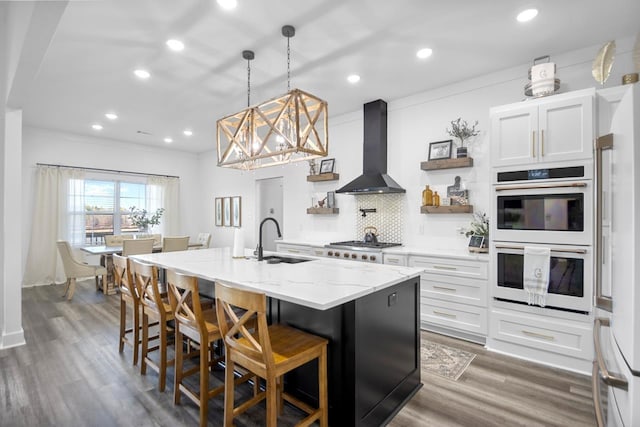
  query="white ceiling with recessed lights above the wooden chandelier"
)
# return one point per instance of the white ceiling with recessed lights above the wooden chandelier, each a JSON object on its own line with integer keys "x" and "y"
{"x": 87, "y": 70}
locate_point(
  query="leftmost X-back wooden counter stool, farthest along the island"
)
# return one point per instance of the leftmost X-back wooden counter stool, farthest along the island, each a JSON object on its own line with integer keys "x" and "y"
{"x": 129, "y": 298}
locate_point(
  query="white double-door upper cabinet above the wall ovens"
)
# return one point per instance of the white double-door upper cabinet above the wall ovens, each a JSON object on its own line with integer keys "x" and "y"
{"x": 554, "y": 129}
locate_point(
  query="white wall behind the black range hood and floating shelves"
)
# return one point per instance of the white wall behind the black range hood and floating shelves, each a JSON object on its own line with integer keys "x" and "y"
{"x": 413, "y": 122}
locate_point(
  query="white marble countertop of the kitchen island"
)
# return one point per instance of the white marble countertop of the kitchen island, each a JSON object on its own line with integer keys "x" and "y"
{"x": 321, "y": 283}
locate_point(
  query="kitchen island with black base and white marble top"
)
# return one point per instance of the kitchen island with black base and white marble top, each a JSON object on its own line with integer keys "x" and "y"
{"x": 368, "y": 312}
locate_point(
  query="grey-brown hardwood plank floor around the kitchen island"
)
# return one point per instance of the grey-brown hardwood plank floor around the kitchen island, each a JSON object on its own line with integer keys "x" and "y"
{"x": 71, "y": 374}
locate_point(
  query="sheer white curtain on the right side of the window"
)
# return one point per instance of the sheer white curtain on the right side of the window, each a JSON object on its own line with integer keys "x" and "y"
{"x": 164, "y": 192}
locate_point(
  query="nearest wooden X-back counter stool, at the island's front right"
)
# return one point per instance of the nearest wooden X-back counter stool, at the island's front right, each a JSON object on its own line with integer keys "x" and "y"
{"x": 269, "y": 352}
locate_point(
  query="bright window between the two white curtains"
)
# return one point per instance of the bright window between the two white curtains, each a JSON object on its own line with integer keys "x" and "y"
{"x": 107, "y": 207}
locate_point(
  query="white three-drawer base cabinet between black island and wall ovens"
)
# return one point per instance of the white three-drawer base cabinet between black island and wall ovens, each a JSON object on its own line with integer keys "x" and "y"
{"x": 453, "y": 296}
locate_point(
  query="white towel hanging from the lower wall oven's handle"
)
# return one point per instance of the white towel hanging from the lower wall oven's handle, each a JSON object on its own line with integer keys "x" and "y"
{"x": 535, "y": 274}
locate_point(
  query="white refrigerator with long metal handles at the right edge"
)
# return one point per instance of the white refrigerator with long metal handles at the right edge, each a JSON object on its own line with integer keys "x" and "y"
{"x": 616, "y": 373}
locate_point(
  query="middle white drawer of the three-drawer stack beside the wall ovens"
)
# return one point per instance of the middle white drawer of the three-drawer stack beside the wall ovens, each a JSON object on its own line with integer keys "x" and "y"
{"x": 454, "y": 289}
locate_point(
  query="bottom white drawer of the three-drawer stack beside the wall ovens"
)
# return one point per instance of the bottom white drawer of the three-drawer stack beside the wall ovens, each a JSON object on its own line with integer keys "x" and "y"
{"x": 448, "y": 314}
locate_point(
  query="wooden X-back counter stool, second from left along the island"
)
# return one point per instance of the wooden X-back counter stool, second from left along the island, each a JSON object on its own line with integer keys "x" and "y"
{"x": 157, "y": 309}
